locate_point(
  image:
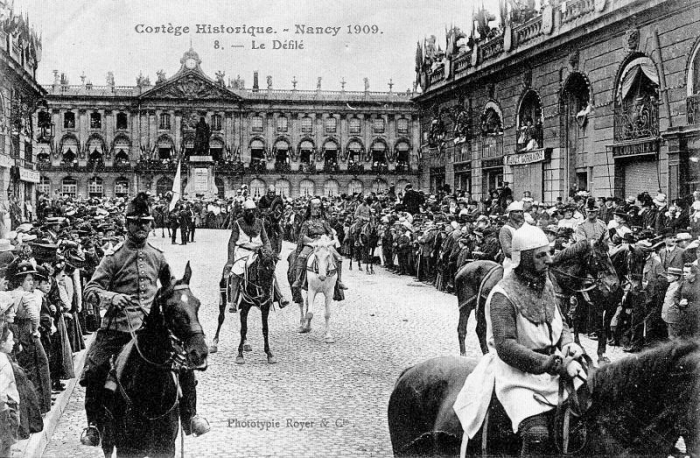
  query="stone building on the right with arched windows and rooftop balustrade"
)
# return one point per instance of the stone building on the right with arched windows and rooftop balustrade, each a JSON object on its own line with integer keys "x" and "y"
{"x": 601, "y": 95}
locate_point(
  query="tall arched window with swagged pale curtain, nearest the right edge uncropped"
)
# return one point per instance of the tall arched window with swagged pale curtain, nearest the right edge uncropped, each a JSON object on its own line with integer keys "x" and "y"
{"x": 636, "y": 101}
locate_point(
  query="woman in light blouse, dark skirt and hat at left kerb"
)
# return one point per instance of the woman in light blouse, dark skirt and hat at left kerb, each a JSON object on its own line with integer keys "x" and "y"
{"x": 32, "y": 358}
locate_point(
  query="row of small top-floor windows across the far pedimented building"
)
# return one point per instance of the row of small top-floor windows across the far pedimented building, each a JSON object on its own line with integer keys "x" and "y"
{"x": 330, "y": 124}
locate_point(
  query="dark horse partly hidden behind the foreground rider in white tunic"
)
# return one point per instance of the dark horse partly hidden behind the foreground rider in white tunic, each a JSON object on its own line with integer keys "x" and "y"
{"x": 569, "y": 273}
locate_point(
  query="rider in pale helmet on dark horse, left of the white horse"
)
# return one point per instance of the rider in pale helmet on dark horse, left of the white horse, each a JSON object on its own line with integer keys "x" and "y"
{"x": 247, "y": 236}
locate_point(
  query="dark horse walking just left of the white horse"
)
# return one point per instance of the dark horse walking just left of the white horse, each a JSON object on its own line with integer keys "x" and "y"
{"x": 255, "y": 289}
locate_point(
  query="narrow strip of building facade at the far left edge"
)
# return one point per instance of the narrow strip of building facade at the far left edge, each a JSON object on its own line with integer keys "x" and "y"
{"x": 20, "y": 97}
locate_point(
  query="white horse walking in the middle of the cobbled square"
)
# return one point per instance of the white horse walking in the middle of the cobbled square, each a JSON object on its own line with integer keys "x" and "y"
{"x": 321, "y": 275}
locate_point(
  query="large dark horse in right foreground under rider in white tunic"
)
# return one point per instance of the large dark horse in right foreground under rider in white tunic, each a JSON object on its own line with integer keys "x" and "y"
{"x": 639, "y": 406}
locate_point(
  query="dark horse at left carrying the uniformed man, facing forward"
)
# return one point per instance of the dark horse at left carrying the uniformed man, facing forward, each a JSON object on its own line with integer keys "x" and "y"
{"x": 143, "y": 413}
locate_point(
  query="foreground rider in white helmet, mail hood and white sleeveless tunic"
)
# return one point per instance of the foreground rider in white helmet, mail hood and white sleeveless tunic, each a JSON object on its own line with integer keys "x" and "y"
{"x": 530, "y": 348}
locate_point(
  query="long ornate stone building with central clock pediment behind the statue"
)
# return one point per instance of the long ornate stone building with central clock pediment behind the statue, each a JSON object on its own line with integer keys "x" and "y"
{"x": 116, "y": 140}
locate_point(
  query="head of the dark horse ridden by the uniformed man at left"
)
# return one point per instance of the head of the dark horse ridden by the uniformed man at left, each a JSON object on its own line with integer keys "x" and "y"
{"x": 176, "y": 308}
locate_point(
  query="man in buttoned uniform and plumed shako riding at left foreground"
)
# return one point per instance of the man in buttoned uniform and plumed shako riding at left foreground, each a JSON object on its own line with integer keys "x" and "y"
{"x": 125, "y": 283}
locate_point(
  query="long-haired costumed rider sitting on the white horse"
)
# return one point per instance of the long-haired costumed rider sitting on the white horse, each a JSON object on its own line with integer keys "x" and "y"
{"x": 314, "y": 226}
